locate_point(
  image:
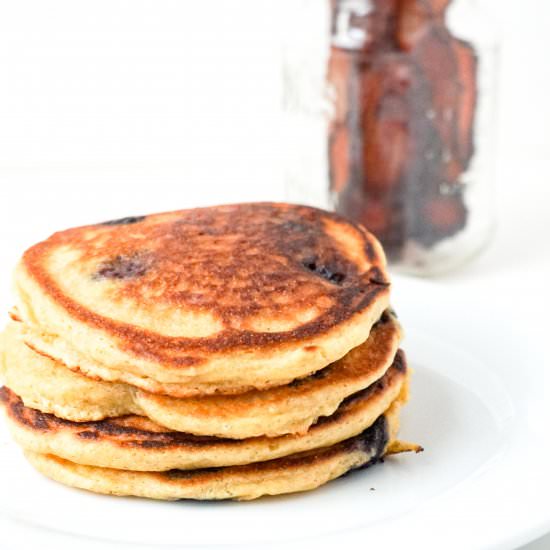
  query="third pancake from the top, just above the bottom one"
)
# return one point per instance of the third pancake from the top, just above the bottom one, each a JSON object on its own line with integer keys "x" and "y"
{"x": 135, "y": 443}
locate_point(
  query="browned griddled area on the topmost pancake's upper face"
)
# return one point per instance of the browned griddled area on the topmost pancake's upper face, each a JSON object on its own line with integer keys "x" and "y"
{"x": 235, "y": 262}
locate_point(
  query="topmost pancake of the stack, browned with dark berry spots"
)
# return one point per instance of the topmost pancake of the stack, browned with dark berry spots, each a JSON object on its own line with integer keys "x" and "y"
{"x": 211, "y": 300}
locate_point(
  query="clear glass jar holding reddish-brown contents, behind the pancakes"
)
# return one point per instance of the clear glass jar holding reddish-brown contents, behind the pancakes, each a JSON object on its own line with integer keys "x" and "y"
{"x": 412, "y": 129}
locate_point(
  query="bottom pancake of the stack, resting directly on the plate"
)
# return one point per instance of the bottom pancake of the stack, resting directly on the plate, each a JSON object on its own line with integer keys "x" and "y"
{"x": 299, "y": 472}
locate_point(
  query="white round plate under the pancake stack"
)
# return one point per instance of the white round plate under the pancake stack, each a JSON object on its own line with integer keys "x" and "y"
{"x": 477, "y": 407}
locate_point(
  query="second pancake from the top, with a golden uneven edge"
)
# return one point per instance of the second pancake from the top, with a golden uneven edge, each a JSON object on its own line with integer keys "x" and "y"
{"x": 272, "y": 412}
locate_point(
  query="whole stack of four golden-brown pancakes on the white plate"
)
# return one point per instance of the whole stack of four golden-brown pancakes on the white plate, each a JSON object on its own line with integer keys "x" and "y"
{"x": 224, "y": 352}
